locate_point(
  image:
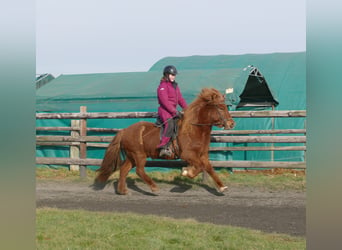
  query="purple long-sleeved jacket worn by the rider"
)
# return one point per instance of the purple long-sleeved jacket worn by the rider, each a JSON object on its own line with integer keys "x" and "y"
{"x": 168, "y": 98}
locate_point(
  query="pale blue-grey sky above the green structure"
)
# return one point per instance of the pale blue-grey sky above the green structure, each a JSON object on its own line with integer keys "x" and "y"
{"x": 107, "y": 36}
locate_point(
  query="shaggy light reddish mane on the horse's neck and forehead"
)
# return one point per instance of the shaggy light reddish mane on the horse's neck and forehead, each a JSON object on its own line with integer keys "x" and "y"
{"x": 208, "y": 96}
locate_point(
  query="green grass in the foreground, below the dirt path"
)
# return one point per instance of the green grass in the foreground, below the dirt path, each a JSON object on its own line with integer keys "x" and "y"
{"x": 61, "y": 229}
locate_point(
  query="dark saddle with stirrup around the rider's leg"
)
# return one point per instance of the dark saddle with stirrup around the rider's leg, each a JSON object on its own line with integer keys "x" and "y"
{"x": 171, "y": 150}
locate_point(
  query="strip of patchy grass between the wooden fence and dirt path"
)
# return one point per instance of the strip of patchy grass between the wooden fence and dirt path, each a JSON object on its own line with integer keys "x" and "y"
{"x": 273, "y": 179}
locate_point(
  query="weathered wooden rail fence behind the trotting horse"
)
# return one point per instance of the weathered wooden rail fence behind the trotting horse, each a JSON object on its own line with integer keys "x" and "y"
{"x": 78, "y": 141}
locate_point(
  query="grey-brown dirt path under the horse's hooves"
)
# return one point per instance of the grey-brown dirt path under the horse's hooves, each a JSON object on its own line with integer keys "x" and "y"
{"x": 277, "y": 211}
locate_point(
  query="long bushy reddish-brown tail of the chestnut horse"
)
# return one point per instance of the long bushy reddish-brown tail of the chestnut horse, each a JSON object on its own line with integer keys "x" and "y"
{"x": 112, "y": 159}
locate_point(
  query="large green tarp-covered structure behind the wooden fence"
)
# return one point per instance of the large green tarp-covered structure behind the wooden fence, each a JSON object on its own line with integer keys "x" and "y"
{"x": 285, "y": 74}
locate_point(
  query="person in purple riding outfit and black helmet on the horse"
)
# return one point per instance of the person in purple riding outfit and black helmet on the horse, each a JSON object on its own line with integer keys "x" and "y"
{"x": 169, "y": 96}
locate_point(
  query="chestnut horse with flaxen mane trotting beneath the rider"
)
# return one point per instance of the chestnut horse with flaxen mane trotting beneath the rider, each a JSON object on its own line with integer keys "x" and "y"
{"x": 140, "y": 140}
